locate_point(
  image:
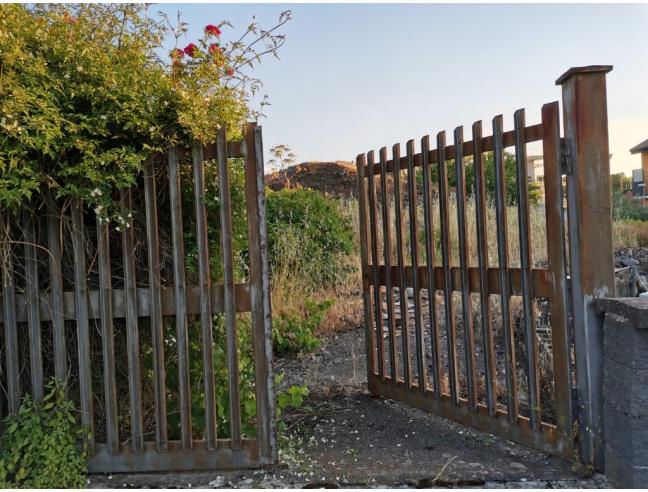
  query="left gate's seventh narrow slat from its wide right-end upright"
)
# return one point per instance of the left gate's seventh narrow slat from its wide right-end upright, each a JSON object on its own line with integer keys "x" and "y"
{"x": 82, "y": 317}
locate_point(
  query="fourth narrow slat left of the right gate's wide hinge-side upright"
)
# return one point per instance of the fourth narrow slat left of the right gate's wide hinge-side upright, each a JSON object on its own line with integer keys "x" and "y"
{"x": 466, "y": 301}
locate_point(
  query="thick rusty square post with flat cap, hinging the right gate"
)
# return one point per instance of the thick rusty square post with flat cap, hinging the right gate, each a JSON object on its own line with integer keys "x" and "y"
{"x": 590, "y": 241}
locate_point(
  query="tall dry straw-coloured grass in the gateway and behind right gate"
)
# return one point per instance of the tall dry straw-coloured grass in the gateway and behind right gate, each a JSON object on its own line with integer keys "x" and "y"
{"x": 291, "y": 286}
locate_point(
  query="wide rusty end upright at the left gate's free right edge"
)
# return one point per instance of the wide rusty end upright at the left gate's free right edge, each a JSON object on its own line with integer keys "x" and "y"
{"x": 260, "y": 292}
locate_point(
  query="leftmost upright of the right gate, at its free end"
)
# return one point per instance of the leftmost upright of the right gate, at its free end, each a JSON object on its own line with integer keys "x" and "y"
{"x": 361, "y": 162}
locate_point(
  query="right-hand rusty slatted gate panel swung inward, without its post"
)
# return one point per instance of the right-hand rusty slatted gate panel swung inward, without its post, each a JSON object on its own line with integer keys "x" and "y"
{"x": 422, "y": 364}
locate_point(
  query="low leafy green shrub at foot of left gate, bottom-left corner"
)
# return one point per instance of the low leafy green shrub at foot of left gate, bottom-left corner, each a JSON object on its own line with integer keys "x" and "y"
{"x": 42, "y": 446}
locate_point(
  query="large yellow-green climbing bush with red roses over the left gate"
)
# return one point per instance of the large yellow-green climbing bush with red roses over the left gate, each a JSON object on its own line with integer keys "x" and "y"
{"x": 87, "y": 93}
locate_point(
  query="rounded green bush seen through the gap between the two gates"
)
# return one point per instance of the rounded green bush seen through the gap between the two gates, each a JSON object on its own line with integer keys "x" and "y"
{"x": 308, "y": 233}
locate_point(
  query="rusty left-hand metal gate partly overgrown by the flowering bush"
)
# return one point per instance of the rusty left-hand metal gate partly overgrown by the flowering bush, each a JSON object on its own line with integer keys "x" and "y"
{"x": 39, "y": 311}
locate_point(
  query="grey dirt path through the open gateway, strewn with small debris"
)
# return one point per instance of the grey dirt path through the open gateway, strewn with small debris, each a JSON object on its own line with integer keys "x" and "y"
{"x": 344, "y": 437}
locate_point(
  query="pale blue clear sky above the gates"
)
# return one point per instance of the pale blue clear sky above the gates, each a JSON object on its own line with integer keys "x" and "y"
{"x": 356, "y": 77}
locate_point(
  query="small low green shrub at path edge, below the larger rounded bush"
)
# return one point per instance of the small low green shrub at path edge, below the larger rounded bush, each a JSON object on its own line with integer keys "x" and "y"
{"x": 294, "y": 333}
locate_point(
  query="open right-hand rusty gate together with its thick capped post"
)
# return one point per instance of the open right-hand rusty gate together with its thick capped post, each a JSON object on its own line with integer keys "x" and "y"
{"x": 461, "y": 318}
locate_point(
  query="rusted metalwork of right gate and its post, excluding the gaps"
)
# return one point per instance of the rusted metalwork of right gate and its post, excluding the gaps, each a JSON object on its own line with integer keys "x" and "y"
{"x": 489, "y": 408}
